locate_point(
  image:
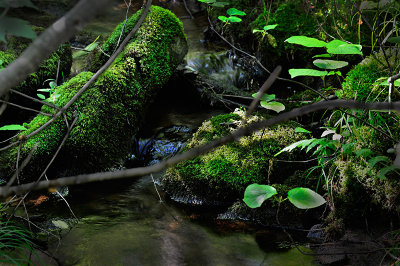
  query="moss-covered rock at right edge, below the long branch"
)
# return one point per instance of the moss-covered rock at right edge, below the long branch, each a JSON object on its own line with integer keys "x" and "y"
{"x": 359, "y": 186}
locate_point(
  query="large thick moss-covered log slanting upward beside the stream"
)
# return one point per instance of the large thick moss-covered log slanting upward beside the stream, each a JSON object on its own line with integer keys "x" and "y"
{"x": 111, "y": 110}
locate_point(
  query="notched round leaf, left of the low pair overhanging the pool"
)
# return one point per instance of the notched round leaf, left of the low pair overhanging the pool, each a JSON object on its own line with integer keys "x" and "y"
{"x": 256, "y": 194}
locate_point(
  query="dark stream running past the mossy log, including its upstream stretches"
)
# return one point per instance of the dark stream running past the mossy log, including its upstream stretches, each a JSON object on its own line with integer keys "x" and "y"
{"x": 124, "y": 223}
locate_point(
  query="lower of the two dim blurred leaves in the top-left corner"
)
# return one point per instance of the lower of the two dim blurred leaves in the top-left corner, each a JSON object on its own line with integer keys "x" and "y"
{"x": 16, "y": 27}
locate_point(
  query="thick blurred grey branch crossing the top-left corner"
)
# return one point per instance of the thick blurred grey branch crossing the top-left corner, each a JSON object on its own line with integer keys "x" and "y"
{"x": 48, "y": 42}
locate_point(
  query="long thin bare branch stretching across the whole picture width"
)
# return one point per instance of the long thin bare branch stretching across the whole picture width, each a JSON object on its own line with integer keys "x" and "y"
{"x": 244, "y": 131}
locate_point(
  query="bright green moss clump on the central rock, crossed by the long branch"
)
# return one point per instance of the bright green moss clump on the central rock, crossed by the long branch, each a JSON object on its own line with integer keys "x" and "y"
{"x": 224, "y": 173}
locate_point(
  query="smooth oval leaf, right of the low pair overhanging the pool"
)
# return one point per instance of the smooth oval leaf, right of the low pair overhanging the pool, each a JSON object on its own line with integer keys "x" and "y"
{"x": 305, "y": 198}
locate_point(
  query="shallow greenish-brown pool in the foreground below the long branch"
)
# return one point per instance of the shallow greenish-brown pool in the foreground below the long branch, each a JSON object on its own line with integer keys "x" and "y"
{"x": 131, "y": 227}
